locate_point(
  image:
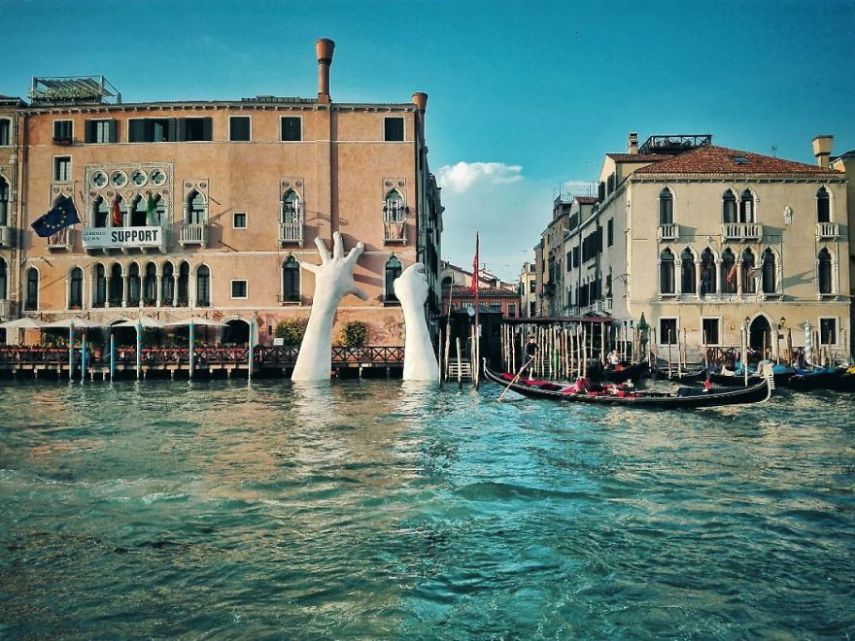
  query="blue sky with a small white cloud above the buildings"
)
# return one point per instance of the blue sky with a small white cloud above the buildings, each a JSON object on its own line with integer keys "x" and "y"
{"x": 524, "y": 96}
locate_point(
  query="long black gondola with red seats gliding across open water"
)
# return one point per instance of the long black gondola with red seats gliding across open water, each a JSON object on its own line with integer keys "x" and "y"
{"x": 684, "y": 398}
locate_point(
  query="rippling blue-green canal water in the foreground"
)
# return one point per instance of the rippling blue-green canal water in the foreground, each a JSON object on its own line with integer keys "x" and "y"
{"x": 378, "y": 510}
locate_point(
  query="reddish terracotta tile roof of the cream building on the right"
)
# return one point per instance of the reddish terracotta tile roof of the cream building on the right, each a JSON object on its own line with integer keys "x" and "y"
{"x": 711, "y": 159}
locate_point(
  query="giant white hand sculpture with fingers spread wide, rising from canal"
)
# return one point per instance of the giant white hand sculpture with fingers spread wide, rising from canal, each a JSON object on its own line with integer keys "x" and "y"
{"x": 333, "y": 281}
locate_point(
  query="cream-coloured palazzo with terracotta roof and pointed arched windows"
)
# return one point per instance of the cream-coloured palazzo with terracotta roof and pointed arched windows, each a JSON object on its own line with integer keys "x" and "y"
{"x": 704, "y": 240}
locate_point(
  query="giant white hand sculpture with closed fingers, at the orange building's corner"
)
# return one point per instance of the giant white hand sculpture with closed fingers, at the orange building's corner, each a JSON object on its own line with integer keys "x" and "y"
{"x": 411, "y": 288}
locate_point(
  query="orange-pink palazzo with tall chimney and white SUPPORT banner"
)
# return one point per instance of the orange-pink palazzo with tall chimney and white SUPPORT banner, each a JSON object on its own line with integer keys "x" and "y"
{"x": 209, "y": 208}
